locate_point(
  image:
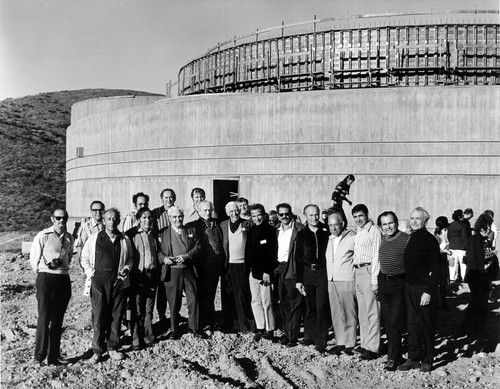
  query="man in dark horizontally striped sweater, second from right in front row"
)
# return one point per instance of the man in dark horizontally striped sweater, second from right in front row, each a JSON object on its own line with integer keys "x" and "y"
{"x": 391, "y": 284}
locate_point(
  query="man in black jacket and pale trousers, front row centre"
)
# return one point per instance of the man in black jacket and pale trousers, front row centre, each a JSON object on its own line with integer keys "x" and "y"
{"x": 260, "y": 260}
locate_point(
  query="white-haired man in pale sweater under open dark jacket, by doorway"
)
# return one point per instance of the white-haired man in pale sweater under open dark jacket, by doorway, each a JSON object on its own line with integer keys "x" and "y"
{"x": 234, "y": 232}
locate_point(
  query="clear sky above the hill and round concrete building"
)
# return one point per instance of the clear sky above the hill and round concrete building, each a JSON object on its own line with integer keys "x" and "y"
{"x": 54, "y": 45}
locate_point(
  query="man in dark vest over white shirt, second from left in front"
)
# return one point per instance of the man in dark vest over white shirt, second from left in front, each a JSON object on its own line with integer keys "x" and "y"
{"x": 107, "y": 259}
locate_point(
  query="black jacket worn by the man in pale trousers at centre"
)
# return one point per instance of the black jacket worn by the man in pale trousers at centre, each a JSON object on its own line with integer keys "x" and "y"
{"x": 261, "y": 250}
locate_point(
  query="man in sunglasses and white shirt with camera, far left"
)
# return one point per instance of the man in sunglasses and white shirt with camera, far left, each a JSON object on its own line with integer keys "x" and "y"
{"x": 50, "y": 256}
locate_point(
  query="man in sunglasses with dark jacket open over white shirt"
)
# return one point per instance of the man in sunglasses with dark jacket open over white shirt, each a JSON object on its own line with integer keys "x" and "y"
{"x": 290, "y": 298}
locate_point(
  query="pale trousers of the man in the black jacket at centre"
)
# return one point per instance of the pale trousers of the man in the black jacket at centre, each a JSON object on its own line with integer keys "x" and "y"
{"x": 261, "y": 305}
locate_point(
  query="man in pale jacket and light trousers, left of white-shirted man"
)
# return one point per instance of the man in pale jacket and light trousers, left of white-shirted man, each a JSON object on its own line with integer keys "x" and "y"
{"x": 341, "y": 286}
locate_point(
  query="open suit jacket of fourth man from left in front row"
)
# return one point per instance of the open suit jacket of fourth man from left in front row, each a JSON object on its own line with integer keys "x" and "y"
{"x": 191, "y": 242}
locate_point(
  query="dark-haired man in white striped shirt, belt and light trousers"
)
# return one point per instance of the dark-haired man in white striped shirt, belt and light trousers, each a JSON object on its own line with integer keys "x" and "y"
{"x": 366, "y": 269}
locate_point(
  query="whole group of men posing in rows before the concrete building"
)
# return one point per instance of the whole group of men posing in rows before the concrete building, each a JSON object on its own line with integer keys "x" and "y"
{"x": 324, "y": 273}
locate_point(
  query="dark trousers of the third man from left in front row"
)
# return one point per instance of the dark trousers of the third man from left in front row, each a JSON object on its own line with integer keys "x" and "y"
{"x": 143, "y": 294}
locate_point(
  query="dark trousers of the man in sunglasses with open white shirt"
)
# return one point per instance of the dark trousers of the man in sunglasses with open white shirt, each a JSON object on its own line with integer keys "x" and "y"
{"x": 290, "y": 305}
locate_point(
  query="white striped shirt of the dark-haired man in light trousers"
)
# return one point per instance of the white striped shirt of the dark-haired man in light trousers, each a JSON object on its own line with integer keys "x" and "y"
{"x": 366, "y": 246}
